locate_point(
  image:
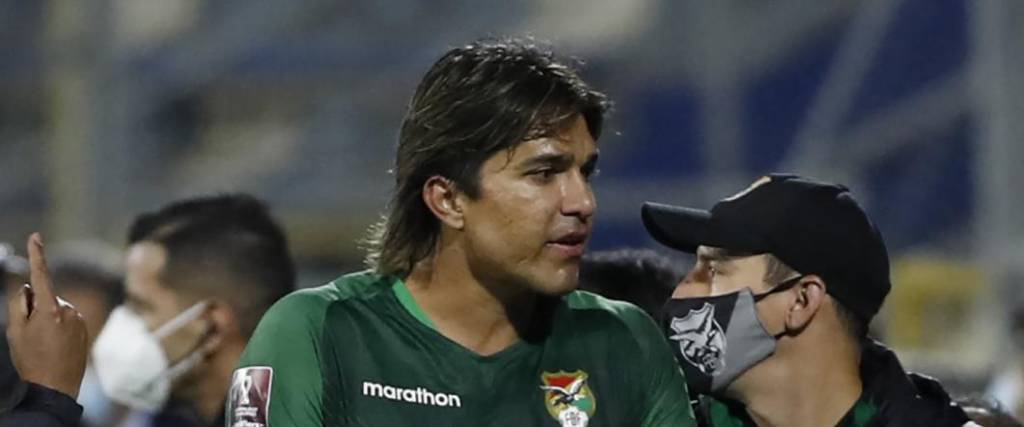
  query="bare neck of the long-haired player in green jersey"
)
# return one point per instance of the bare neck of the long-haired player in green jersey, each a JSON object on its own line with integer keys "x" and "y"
{"x": 484, "y": 318}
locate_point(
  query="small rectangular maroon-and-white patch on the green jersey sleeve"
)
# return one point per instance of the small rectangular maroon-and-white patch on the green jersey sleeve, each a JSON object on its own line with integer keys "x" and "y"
{"x": 249, "y": 399}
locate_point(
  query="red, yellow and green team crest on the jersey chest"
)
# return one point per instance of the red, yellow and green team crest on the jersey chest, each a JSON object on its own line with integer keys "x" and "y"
{"x": 569, "y": 399}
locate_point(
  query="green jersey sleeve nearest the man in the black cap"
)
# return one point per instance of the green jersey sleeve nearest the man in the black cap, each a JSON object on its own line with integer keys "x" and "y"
{"x": 664, "y": 396}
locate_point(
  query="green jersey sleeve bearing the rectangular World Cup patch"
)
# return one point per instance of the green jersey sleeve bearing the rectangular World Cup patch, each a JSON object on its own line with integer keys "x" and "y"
{"x": 279, "y": 380}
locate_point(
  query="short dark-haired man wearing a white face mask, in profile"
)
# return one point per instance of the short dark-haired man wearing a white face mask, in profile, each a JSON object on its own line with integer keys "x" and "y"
{"x": 200, "y": 274}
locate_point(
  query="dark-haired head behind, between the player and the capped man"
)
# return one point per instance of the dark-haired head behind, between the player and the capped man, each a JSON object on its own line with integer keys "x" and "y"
{"x": 642, "y": 277}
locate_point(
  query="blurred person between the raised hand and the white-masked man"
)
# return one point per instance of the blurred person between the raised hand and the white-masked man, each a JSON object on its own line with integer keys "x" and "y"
{"x": 90, "y": 275}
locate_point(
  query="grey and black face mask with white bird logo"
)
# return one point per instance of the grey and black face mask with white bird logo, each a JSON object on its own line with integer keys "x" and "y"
{"x": 718, "y": 338}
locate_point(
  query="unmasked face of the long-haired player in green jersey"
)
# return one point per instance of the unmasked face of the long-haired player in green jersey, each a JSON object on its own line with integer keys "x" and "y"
{"x": 535, "y": 212}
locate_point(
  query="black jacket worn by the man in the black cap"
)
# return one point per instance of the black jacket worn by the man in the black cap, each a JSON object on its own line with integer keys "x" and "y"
{"x": 891, "y": 398}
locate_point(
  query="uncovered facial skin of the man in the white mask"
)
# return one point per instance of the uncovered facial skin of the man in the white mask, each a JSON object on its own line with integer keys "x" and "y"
{"x": 154, "y": 303}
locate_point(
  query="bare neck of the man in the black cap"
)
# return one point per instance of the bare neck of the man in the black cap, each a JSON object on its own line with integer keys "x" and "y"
{"x": 790, "y": 395}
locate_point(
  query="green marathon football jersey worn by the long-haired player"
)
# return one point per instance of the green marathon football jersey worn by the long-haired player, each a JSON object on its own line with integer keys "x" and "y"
{"x": 360, "y": 353}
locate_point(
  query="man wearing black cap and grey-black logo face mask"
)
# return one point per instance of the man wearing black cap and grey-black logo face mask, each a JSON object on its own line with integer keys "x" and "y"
{"x": 771, "y": 325}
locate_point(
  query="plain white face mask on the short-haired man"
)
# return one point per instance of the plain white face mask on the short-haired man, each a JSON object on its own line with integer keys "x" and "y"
{"x": 131, "y": 363}
